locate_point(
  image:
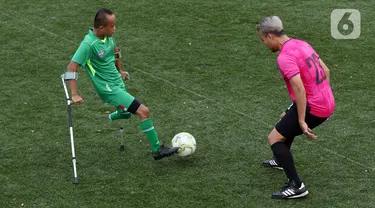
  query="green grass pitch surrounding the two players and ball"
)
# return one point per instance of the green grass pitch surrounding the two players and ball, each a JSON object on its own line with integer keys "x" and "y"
{"x": 224, "y": 88}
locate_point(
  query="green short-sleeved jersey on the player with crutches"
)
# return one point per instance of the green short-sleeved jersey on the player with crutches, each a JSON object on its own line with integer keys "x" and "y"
{"x": 98, "y": 59}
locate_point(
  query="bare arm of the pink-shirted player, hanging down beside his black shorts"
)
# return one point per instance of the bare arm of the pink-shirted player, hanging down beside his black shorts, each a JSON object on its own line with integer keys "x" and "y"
{"x": 300, "y": 96}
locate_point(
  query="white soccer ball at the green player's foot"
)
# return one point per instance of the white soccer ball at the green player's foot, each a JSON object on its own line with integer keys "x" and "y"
{"x": 186, "y": 142}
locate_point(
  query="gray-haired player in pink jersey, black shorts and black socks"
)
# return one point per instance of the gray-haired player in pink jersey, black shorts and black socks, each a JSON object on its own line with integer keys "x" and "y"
{"x": 307, "y": 79}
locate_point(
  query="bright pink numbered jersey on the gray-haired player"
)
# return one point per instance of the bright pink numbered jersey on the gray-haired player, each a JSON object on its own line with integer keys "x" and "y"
{"x": 298, "y": 57}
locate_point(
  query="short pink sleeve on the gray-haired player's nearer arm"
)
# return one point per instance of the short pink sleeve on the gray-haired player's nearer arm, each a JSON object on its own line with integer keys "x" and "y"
{"x": 288, "y": 66}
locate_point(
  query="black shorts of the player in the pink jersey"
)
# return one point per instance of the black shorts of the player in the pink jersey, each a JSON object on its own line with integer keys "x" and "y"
{"x": 288, "y": 126}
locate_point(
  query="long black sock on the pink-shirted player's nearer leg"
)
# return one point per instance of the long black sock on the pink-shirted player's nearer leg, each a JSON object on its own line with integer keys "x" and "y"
{"x": 285, "y": 158}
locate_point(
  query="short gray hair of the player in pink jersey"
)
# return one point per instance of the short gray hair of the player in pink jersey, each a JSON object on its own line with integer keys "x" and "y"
{"x": 271, "y": 25}
